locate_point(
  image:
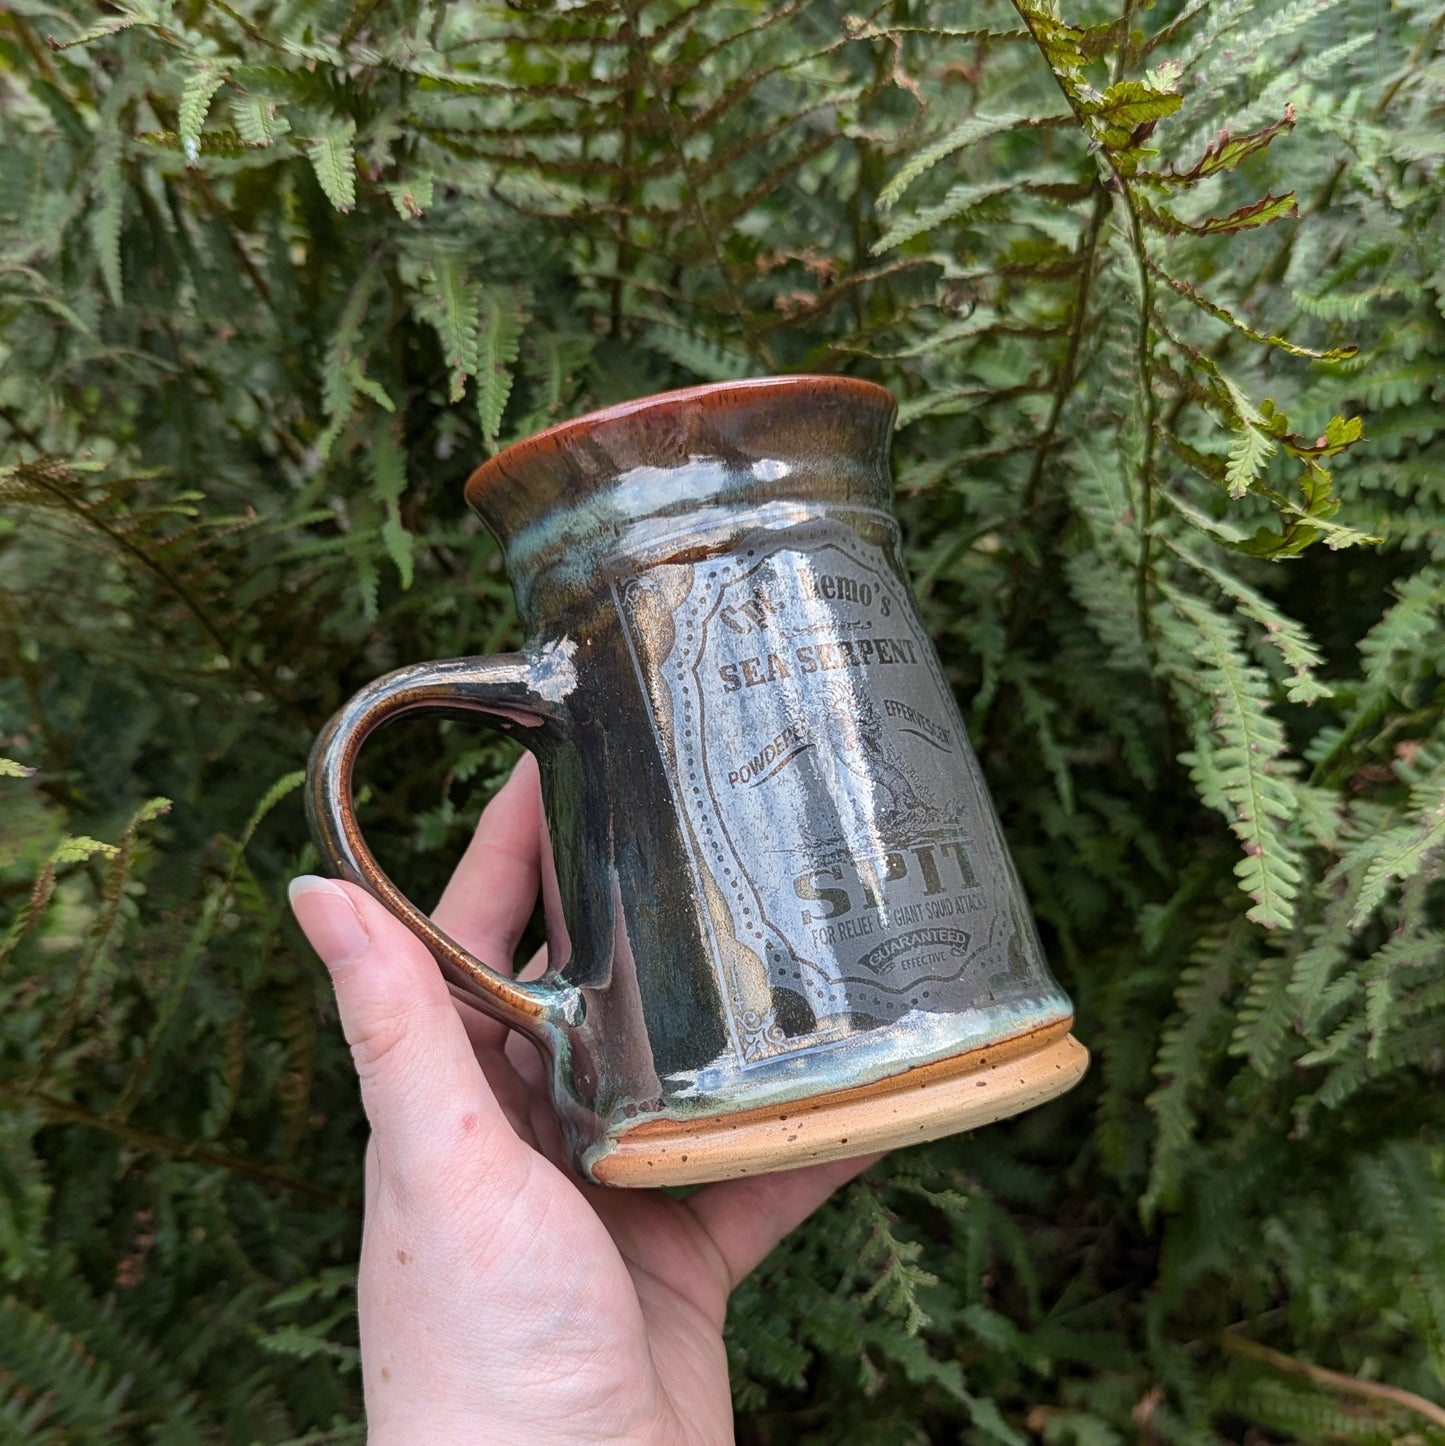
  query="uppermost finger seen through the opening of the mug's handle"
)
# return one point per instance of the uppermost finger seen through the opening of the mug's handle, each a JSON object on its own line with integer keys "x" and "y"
{"x": 494, "y": 890}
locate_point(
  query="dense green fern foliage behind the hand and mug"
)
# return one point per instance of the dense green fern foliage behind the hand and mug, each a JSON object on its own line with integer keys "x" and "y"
{"x": 1161, "y": 296}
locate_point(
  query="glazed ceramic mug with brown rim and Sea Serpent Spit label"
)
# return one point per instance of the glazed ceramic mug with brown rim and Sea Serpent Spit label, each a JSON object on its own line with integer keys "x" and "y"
{"x": 783, "y": 923}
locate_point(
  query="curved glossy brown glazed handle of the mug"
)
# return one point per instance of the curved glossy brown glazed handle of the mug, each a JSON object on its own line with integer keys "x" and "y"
{"x": 513, "y": 692}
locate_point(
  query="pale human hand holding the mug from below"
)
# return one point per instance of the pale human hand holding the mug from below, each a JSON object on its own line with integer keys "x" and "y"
{"x": 501, "y": 1301}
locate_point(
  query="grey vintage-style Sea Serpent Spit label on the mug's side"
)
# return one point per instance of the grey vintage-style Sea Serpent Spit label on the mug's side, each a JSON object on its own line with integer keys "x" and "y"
{"x": 851, "y": 865}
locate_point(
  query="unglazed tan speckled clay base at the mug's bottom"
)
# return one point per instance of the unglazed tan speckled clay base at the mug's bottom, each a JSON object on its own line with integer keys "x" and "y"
{"x": 922, "y": 1104}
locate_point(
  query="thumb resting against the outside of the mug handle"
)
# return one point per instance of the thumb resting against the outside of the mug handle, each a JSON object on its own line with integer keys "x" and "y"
{"x": 426, "y": 1097}
